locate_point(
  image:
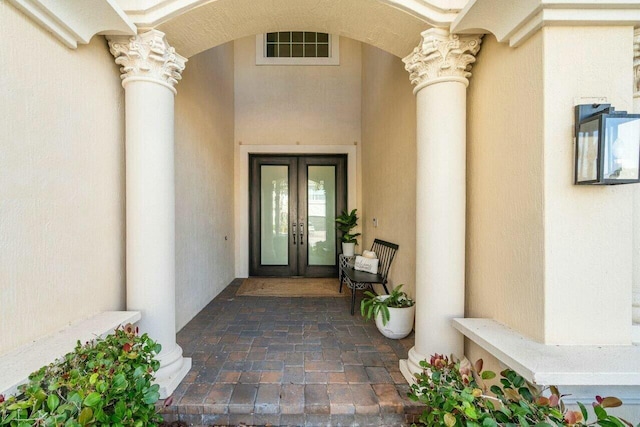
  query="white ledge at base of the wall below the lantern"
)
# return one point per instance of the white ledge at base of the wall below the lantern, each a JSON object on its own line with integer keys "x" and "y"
{"x": 555, "y": 364}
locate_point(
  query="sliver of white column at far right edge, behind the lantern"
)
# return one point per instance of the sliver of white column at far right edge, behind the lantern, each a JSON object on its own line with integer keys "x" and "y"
{"x": 636, "y": 198}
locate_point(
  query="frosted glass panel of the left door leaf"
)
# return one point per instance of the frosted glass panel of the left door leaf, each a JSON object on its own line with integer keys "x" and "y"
{"x": 274, "y": 203}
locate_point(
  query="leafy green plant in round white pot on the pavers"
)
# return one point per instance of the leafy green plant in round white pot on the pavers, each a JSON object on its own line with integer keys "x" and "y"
{"x": 394, "y": 313}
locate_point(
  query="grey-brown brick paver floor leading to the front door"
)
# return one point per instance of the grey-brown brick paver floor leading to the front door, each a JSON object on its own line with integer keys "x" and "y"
{"x": 289, "y": 361}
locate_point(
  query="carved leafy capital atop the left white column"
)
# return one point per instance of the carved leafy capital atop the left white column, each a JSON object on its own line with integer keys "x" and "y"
{"x": 147, "y": 56}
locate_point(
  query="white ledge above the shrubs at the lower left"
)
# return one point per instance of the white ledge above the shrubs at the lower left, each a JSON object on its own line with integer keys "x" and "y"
{"x": 16, "y": 366}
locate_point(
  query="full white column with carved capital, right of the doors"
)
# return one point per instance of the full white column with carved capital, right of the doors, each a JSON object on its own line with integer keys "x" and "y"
{"x": 439, "y": 67}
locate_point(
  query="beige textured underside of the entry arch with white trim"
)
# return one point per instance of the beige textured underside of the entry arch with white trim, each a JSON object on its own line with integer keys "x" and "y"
{"x": 391, "y": 25}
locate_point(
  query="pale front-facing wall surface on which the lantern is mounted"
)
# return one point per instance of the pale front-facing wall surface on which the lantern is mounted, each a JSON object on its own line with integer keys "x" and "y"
{"x": 588, "y": 230}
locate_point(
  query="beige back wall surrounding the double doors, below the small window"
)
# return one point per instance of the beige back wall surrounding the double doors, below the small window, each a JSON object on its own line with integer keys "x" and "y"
{"x": 294, "y": 109}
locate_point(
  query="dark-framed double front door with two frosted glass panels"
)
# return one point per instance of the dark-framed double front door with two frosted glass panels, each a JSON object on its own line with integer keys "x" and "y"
{"x": 293, "y": 204}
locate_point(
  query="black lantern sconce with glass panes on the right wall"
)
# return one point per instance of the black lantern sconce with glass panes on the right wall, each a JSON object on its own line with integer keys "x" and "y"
{"x": 607, "y": 145}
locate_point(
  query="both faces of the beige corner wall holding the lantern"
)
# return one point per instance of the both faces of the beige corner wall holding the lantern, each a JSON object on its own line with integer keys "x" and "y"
{"x": 543, "y": 253}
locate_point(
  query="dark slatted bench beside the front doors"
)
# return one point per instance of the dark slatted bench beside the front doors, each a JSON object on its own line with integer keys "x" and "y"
{"x": 360, "y": 280}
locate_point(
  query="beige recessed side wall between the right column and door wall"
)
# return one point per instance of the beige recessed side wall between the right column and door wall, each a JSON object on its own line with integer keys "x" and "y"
{"x": 389, "y": 160}
